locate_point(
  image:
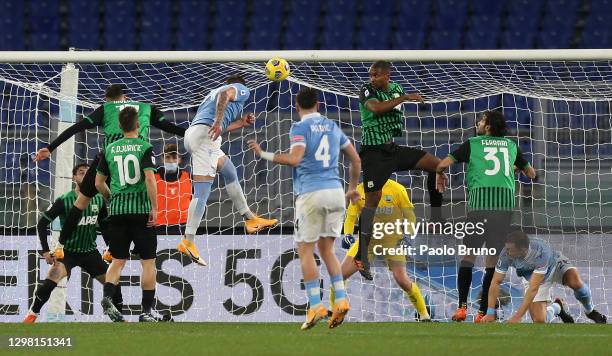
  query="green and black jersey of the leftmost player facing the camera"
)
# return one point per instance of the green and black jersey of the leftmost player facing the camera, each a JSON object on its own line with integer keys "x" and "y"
{"x": 83, "y": 239}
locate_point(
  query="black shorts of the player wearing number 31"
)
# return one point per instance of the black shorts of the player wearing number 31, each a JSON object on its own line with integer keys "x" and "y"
{"x": 497, "y": 226}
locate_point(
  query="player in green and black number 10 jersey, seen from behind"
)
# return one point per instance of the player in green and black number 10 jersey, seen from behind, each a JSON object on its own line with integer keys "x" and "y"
{"x": 132, "y": 209}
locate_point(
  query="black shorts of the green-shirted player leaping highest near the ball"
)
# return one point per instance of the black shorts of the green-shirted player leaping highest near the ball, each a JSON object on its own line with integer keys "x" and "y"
{"x": 380, "y": 161}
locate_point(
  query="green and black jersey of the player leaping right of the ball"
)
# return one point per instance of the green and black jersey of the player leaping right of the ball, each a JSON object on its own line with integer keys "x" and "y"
{"x": 379, "y": 129}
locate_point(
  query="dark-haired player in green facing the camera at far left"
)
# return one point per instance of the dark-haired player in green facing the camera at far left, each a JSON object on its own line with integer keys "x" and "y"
{"x": 79, "y": 250}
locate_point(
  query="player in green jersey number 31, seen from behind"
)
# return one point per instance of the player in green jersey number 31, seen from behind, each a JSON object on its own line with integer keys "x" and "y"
{"x": 490, "y": 157}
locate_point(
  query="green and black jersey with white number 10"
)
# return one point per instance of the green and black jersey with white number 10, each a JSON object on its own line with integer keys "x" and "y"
{"x": 125, "y": 161}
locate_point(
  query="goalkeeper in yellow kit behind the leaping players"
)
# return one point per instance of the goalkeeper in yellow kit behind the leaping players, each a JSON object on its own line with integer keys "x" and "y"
{"x": 394, "y": 205}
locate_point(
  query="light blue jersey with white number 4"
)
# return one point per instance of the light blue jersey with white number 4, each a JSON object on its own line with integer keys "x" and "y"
{"x": 322, "y": 140}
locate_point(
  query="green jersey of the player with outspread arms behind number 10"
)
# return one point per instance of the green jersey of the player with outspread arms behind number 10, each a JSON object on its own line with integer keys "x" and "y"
{"x": 107, "y": 116}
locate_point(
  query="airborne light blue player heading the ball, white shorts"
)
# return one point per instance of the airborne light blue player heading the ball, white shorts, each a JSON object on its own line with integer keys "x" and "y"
{"x": 219, "y": 112}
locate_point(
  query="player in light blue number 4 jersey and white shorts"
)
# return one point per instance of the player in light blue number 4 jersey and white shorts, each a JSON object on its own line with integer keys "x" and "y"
{"x": 316, "y": 142}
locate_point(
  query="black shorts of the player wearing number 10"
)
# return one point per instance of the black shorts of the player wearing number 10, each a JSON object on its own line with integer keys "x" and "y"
{"x": 125, "y": 229}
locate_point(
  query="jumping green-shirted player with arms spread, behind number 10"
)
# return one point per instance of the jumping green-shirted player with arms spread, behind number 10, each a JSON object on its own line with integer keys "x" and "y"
{"x": 105, "y": 116}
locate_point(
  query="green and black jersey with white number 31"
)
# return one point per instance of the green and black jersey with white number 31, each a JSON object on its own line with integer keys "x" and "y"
{"x": 490, "y": 172}
